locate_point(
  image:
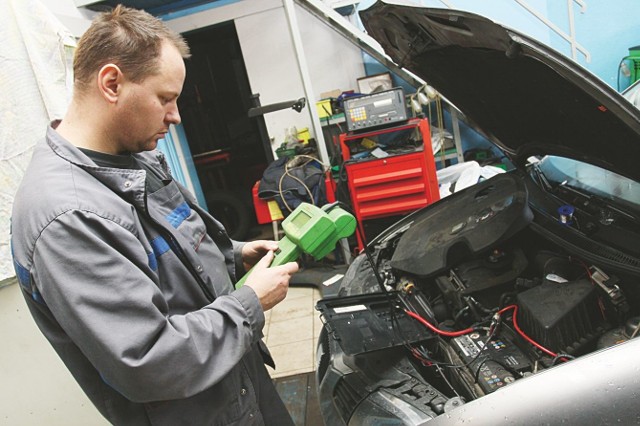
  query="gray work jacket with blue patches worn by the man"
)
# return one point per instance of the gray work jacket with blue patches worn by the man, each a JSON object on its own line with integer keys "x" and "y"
{"x": 152, "y": 330}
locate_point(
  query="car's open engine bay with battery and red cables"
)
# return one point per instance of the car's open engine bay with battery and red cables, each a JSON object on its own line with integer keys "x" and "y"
{"x": 505, "y": 316}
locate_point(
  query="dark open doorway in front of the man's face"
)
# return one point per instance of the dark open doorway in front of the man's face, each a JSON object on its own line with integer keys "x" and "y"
{"x": 227, "y": 146}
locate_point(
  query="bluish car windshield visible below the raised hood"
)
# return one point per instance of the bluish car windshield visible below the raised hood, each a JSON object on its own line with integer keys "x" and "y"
{"x": 591, "y": 179}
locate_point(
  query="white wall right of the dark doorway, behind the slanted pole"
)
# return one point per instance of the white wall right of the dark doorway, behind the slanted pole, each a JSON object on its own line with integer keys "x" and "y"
{"x": 271, "y": 61}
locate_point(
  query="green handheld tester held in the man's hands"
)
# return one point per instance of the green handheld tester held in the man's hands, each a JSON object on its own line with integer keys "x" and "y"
{"x": 312, "y": 230}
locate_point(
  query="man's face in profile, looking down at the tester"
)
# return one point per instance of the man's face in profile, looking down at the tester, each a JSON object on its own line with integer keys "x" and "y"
{"x": 146, "y": 109}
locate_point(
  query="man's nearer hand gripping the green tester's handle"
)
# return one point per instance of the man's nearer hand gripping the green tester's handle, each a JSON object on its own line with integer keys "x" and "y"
{"x": 271, "y": 284}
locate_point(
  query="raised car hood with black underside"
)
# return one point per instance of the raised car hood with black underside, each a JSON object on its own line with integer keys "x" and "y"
{"x": 525, "y": 97}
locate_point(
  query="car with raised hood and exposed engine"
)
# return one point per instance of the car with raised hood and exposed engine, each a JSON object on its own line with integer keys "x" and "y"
{"x": 515, "y": 300}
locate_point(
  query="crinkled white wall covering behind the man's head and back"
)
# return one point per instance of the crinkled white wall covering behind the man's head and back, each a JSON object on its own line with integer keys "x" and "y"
{"x": 35, "y": 84}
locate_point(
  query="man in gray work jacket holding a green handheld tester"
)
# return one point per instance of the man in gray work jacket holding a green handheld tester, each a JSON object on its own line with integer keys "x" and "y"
{"x": 129, "y": 279}
